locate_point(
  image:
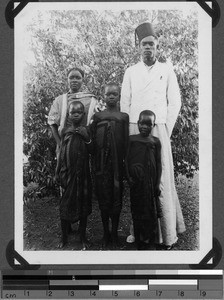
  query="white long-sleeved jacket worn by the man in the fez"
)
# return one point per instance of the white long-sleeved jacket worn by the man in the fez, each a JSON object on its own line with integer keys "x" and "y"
{"x": 154, "y": 88}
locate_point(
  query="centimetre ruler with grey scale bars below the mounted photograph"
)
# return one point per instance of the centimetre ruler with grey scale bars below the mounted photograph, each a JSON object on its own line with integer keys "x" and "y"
{"x": 125, "y": 284}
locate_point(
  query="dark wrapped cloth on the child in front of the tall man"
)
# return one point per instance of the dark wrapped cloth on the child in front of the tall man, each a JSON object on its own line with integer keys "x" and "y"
{"x": 142, "y": 167}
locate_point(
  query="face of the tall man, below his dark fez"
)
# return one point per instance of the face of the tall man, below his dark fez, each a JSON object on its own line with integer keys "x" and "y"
{"x": 148, "y": 48}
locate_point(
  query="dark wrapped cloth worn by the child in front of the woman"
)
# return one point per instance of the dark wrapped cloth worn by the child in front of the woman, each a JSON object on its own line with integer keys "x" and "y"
{"x": 74, "y": 177}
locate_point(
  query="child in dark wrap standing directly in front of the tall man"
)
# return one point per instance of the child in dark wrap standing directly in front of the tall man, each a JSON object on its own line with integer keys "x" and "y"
{"x": 144, "y": 173}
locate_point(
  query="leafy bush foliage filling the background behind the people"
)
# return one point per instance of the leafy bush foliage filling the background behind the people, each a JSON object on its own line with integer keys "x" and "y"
{"x": 103, "y": 44}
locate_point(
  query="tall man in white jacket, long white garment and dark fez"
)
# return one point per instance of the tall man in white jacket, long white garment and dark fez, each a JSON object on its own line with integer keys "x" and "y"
{"x": 153, "y": 85}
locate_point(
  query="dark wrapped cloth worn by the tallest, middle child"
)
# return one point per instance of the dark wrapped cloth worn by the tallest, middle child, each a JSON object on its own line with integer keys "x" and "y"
{"x": 110, "y": 134}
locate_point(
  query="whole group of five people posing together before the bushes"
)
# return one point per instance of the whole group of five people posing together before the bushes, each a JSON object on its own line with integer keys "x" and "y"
{"x": 129, "y": 139}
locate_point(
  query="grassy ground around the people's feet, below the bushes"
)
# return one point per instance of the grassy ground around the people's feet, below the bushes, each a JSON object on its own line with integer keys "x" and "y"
{"x": 42, "y": 224}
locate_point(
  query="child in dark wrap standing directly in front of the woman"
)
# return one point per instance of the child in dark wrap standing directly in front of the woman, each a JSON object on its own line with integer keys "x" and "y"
{"x": 73, "y": 174}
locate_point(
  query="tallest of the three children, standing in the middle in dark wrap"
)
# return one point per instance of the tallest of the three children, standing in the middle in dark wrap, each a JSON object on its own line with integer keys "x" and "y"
{"x": 110, "y": 130}
